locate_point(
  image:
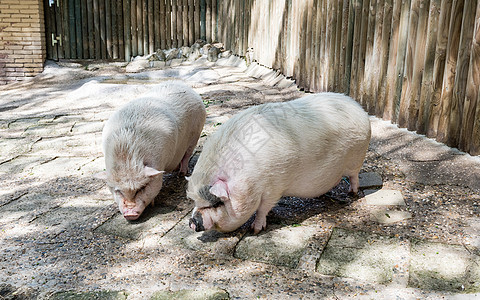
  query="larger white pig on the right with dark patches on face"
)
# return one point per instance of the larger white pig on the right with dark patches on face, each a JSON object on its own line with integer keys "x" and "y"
{"x": 299, "y": 148}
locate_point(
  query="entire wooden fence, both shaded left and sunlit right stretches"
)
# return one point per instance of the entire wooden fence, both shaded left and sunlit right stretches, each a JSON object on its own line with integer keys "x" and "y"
{"x": 415, "y": 62}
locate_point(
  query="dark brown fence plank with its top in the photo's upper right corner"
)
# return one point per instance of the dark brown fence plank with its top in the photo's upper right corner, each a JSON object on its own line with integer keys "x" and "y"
{"x": 461, "y": 73}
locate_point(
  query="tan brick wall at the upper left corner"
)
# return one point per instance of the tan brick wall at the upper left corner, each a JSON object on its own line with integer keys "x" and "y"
{"x": 22, "y": 39}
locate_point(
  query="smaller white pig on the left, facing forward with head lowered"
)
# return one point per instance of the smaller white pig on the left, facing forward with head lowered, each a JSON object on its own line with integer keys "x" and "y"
{"x": 153, "y": 134}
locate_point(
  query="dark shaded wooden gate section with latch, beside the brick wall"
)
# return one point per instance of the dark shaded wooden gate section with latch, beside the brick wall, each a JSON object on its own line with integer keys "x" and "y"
{"x": 120, "y": 29}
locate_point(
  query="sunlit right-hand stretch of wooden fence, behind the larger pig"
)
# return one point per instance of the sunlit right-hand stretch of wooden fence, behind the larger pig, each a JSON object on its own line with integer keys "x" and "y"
{"x": 415, "y": 62}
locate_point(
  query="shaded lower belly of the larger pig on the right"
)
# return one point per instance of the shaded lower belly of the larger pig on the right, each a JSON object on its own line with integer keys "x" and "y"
{"x": 313, "y": 184}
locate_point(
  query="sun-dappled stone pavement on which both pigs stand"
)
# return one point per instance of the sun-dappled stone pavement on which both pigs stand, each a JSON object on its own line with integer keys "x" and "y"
{"x": 411, "y": 233}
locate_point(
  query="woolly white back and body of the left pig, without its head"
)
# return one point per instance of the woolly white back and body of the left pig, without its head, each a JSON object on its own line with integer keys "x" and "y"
{"x": 158, "y": 125}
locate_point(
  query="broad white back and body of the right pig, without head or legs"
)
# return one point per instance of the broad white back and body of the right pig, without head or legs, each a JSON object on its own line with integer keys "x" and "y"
{"x": 299, "y": 148}
